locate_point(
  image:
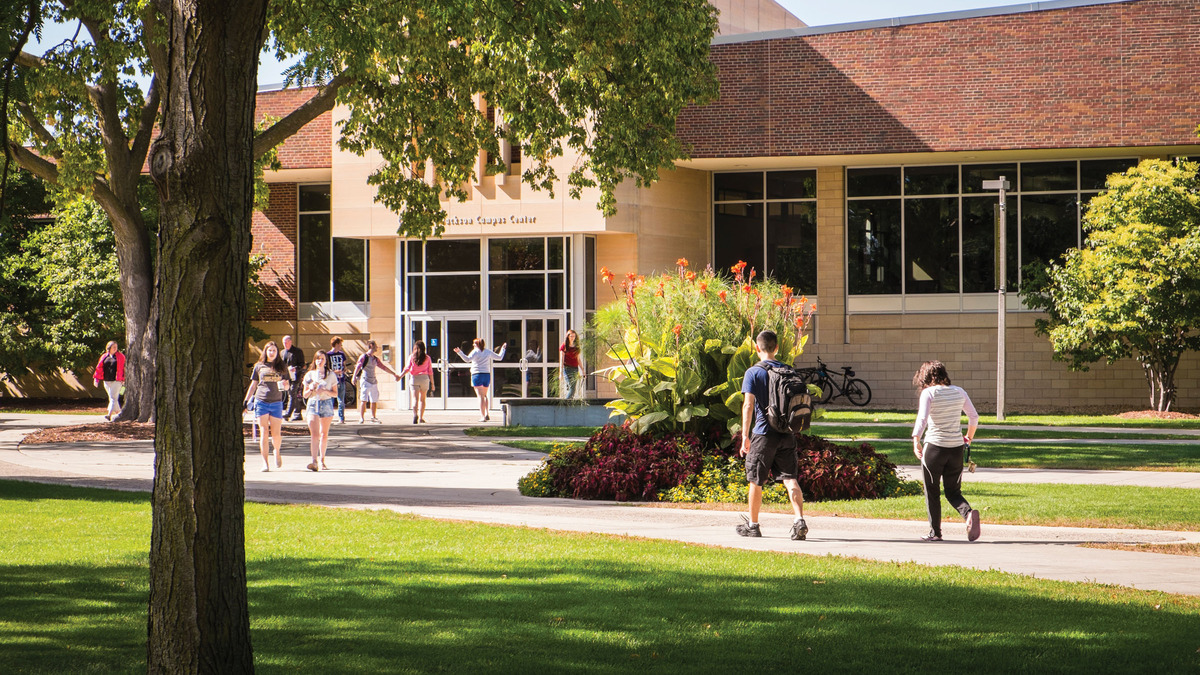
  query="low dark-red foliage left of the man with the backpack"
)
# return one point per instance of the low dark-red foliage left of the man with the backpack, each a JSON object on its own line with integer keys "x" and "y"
{"x": 616, "y": 464}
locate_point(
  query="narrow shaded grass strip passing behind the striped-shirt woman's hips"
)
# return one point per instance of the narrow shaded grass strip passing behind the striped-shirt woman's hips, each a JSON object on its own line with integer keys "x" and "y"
{"x": 1126, "y": 457}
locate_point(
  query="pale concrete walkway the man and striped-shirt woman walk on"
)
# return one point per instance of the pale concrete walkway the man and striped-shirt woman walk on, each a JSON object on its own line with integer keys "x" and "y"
{"x": 436, "y": 471}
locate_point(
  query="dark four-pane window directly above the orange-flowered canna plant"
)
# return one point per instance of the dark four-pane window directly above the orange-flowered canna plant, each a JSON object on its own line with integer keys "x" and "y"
{"x": 770, "y": 220}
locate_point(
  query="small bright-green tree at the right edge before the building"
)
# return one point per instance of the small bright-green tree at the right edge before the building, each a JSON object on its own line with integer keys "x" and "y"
{"x": 1135, "y": 288}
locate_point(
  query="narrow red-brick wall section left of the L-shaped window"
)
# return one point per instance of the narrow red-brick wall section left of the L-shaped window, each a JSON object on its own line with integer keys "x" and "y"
{"x": 274, "y": 234}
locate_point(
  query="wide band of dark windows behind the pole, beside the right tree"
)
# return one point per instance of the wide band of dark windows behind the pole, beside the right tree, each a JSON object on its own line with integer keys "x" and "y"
{"x": 933, "y": 229}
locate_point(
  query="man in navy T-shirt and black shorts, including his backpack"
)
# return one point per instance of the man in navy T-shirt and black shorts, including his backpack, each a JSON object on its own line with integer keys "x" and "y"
{"x": 764, "y": 447}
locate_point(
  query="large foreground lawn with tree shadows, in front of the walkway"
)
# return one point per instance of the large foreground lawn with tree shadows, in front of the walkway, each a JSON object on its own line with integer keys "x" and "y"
{"x": 344, "y": 592}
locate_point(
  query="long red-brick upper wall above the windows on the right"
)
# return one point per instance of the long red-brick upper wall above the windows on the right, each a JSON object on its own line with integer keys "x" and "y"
{"x": 1119, "y": 75}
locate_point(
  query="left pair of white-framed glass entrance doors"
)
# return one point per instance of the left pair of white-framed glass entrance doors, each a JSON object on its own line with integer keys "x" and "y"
{"x": 452, "y": 375}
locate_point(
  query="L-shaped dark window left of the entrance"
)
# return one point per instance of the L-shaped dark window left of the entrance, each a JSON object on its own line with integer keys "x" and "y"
{"x": 331, "y": 268}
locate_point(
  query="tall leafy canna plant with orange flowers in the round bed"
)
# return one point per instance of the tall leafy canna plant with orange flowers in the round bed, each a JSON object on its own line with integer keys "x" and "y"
{"x": 682, "y": 343}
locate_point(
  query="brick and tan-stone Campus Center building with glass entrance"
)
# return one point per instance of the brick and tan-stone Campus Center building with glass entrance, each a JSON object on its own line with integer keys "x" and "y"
{"x": 847, "y": 159}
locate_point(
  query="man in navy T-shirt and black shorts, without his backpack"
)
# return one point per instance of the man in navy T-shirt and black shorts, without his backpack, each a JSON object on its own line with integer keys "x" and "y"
{"x": 766, "y": 450}
